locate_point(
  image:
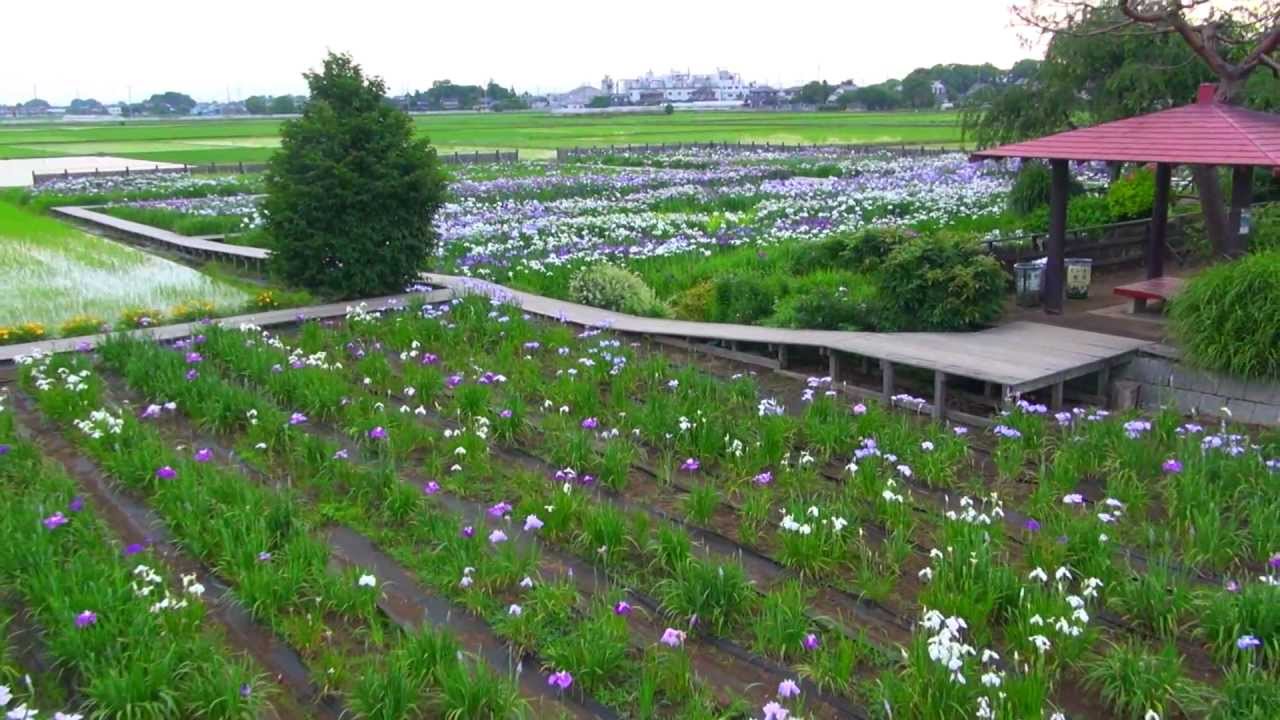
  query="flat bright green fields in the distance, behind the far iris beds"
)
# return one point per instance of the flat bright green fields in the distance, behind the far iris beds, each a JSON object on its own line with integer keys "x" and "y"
{"x": 534, "y": 134}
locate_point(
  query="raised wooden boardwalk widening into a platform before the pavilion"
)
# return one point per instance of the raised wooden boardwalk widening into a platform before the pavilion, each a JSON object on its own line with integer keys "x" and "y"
{"x": 1017, "y": 358}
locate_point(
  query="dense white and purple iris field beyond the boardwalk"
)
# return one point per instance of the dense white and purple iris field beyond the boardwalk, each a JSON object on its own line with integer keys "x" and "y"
{"x": 668, "y": 217}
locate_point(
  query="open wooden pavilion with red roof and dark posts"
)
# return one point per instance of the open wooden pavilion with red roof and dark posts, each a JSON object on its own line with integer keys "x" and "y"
{"x": 1204, "y": 134}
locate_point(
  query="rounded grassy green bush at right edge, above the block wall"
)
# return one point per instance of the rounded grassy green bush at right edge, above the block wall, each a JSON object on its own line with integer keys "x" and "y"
{"x": 1228, "y": 320}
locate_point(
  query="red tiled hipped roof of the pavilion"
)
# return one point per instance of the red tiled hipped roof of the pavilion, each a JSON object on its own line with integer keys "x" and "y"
{"x": 1204, "y": 134}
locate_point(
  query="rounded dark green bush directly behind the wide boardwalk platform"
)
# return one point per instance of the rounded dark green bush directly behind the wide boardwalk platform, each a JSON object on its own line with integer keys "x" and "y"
{"x": 940, "y": 284}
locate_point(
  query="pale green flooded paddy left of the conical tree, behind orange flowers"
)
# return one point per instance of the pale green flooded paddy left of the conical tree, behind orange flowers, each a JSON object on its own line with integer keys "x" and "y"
{"x": 53, "y": 272}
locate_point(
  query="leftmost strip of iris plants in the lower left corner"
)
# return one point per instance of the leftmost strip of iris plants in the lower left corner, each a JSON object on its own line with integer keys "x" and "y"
{"x": 124, "y": 631}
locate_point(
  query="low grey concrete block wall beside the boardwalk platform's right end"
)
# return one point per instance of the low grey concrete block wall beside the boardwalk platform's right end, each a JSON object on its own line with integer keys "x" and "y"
{"x": 1164, "y": 380}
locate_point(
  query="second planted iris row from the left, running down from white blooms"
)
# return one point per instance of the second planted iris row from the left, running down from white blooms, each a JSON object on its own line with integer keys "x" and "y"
{"x": 271, "y": 554}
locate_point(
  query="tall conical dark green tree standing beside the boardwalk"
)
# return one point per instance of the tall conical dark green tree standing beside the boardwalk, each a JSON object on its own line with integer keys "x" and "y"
{"x": 353, "y": 193}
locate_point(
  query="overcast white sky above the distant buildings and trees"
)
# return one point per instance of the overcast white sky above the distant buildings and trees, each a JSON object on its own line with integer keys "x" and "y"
{"x": 112, "y": 49}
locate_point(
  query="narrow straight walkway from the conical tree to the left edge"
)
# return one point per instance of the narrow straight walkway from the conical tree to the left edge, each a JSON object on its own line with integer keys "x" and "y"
{"x": 264, "y": 320}
